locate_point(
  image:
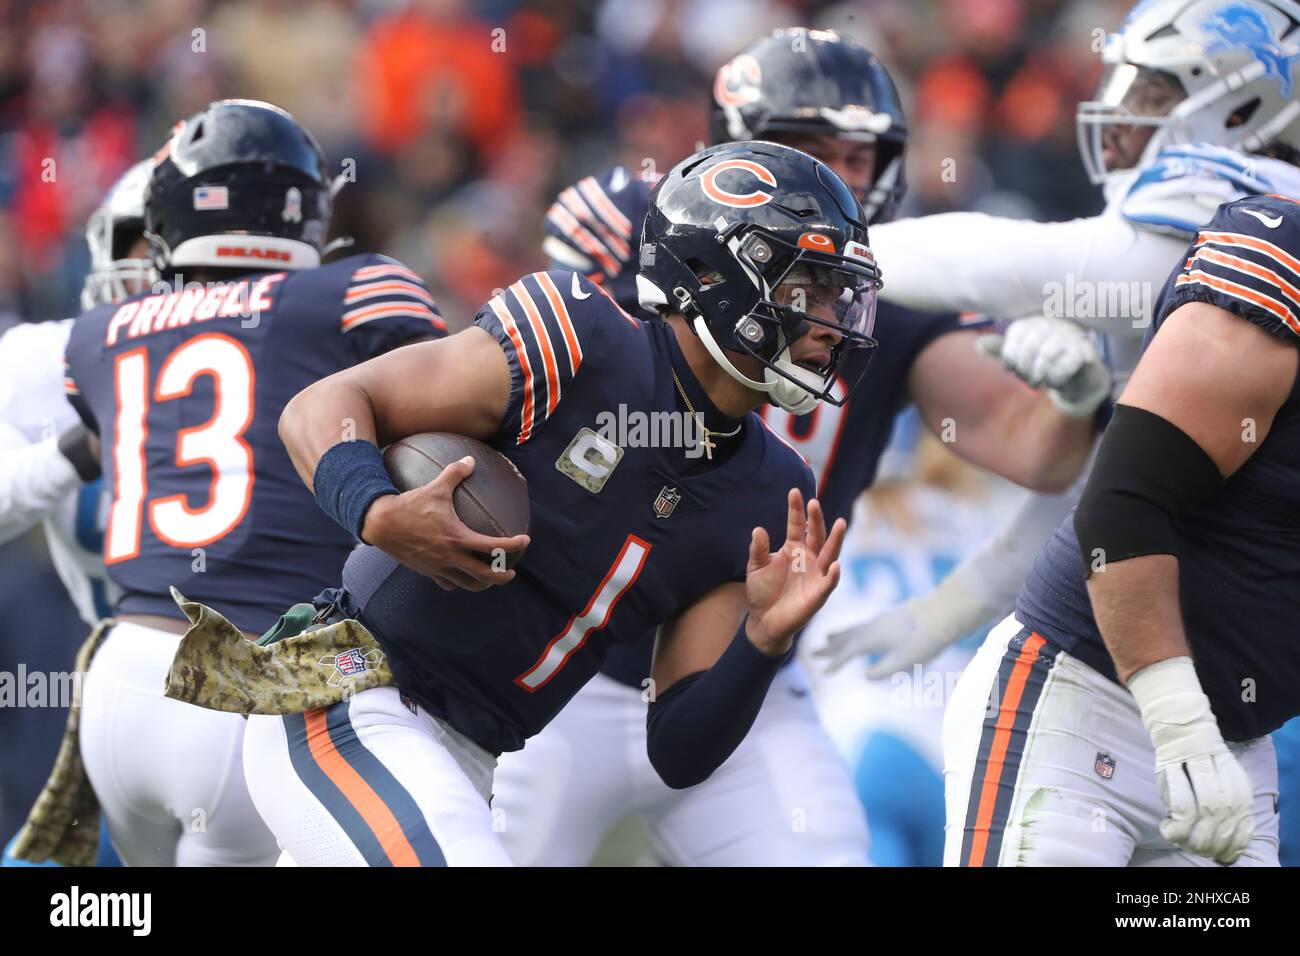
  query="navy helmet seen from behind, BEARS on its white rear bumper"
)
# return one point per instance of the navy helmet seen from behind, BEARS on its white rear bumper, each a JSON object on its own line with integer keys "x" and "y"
{"x": 240, "y": 185}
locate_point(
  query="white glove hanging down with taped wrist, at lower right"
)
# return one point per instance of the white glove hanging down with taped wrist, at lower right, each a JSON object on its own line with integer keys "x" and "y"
{"x": 1207, "y": 794}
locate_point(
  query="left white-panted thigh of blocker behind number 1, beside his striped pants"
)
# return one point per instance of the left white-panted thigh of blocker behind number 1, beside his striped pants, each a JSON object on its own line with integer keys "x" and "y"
{"x": 556, "y": 799}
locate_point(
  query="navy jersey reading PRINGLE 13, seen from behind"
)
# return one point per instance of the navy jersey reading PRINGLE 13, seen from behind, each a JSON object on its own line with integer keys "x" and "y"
{"x": 185, "y": 391}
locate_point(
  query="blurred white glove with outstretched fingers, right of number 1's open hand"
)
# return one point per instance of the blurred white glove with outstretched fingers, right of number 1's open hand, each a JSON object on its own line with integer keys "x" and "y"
{"x": 911, "y": 633}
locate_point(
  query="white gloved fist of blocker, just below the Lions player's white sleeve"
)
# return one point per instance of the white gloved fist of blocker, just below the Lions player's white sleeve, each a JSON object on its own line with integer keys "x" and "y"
{"x": 1055, "y": 354}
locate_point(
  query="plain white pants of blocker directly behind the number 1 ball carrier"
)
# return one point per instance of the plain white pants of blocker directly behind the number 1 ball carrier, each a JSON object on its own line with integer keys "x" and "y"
{"x": 783, "y": 799}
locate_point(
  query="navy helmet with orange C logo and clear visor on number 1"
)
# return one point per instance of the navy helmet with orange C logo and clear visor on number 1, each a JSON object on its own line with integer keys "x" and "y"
{"x": 753, "y": 244}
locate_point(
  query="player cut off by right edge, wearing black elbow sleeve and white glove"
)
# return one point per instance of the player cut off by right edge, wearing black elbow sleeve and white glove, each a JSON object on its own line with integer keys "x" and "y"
{"x": 1121, "y": 715}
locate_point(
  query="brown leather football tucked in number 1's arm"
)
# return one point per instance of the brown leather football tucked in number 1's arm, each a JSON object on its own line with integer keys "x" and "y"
{"x": 492, "y": 501}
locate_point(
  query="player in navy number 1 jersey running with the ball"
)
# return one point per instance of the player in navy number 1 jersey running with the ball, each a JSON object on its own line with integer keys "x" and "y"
{"x": 756, "y": 257}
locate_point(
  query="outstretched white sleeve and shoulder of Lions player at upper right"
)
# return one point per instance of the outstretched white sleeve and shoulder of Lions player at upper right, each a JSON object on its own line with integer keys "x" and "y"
{"x": 1103, "y": 272}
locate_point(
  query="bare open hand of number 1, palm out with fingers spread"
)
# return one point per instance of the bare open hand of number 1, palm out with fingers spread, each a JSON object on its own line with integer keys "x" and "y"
{"x": 786, "y": 589}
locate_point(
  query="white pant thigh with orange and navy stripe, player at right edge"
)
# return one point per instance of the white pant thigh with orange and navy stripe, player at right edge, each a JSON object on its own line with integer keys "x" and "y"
{"x": 1042, "y": 763}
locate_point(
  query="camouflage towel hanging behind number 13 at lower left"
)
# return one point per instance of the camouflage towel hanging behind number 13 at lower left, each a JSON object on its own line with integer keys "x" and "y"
{"x": 64, "y": 823}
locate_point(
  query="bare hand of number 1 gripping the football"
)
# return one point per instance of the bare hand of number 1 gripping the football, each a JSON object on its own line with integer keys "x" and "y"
{"x": 421, "y": 529}
